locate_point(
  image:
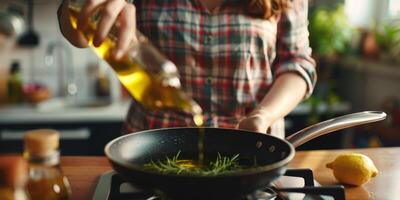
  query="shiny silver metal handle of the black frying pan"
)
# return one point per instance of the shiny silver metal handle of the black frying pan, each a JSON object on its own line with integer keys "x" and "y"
{"x": 334, "y": 124}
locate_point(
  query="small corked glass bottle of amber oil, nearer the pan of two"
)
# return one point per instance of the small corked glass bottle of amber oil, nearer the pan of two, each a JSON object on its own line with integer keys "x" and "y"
{"x": 46, "y": 180}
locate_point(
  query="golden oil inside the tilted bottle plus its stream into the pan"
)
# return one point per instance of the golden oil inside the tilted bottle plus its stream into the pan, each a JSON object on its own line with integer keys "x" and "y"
{"x": 144, "y": 87}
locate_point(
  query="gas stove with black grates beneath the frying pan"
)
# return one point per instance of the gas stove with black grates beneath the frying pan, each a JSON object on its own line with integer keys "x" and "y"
{"x": 295, "y": 184}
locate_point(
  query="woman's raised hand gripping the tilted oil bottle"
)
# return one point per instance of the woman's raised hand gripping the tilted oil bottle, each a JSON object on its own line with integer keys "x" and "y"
{"x": 111, "y": 11}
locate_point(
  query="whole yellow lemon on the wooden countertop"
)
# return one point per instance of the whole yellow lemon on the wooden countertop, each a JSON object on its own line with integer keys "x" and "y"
{"x": 353, "y": 168}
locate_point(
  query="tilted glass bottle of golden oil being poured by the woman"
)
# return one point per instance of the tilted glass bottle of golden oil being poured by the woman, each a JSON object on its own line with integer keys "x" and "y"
{"x": 147, "y": 75}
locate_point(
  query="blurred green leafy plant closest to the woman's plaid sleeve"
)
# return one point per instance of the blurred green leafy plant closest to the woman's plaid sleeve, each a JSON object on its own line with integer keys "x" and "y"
{"x": 330, "y": 35}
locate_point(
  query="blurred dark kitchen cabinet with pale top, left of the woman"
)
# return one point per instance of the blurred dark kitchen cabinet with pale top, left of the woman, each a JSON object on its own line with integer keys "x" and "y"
{"x": 84, "y": 130}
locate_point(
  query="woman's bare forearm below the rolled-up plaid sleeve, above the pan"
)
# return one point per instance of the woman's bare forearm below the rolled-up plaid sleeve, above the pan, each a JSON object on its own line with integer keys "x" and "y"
{"x": 287, "y": 91}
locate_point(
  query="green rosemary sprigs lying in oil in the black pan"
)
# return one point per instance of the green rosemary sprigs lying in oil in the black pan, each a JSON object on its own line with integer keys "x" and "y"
{"x": 174, "y": 165}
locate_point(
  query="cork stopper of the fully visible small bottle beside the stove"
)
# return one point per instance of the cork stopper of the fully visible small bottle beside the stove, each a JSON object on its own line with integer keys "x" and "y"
{"x": 41, "y": 141}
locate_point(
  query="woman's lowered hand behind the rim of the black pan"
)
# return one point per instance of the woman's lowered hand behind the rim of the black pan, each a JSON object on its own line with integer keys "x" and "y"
{"x": 255, "y": 122}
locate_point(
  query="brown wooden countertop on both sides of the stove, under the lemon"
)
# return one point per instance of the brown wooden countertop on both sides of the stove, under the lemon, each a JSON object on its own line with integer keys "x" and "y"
{"x": 83, "y": 172}
